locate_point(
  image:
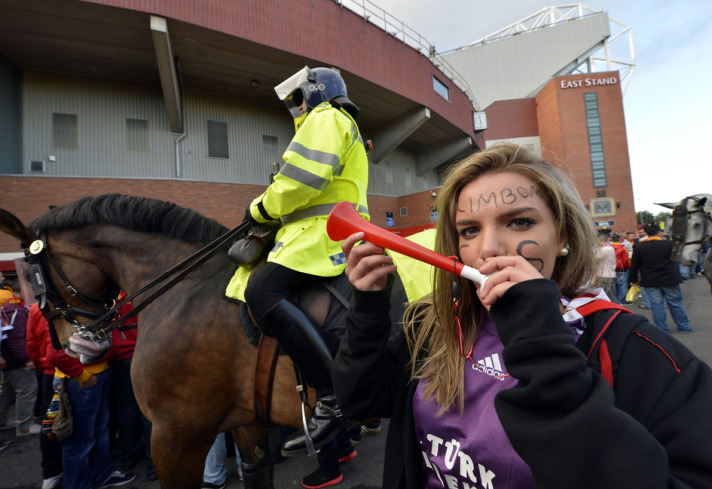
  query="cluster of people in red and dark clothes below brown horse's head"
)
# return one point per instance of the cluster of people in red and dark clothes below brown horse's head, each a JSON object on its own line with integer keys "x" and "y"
{"x": 106, "y": 418}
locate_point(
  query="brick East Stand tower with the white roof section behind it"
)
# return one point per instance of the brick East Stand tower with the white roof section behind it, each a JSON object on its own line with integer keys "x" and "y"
{"x": 555, "y": 81}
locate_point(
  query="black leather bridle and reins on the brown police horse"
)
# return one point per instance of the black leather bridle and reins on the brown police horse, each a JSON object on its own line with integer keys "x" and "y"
{"x": 38, "y": 257}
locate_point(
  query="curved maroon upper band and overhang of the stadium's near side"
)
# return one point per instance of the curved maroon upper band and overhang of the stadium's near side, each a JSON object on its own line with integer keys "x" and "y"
{"x": 244, "y": 49}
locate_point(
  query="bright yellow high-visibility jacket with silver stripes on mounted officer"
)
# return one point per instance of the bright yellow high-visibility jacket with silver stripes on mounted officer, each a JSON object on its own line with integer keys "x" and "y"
{"x": 325, "y": 164}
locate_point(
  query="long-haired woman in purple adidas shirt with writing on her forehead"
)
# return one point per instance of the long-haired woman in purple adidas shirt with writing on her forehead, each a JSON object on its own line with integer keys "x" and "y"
{"x": 490, "y": 385}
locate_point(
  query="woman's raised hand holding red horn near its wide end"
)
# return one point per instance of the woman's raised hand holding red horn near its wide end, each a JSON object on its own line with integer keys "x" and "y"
{"x": 367, "y": 266}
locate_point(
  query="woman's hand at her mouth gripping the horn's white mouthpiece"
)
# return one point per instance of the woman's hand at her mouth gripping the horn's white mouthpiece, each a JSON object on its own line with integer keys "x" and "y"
{"x": 504, "y": 272}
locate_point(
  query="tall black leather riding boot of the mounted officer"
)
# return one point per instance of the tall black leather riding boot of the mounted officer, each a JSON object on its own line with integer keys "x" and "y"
{"x": 308, "y": 350}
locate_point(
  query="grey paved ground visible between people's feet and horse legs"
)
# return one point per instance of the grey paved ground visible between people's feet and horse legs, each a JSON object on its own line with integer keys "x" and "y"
{"x": 20, "y": 462}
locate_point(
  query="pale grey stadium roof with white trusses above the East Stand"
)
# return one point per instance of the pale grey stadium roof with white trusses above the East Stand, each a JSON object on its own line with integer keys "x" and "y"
{"x": 519, "y": 59}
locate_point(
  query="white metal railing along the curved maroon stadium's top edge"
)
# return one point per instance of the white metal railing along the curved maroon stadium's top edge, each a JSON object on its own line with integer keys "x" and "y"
{"x": 375, "y": 15}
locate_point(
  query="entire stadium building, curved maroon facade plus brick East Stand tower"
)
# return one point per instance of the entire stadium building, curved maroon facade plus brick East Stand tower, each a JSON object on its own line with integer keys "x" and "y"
{"x": 175, "y": 100}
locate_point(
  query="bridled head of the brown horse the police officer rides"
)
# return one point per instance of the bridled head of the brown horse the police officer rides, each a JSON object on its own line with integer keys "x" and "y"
{"x": 69, "y": 285}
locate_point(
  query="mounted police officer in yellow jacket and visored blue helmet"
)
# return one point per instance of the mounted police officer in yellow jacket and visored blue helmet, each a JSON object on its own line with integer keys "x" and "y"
{"x": 325, "y": 163}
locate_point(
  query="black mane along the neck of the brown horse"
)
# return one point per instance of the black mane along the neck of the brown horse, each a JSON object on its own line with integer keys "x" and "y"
{"x": 139, "y": 214}
